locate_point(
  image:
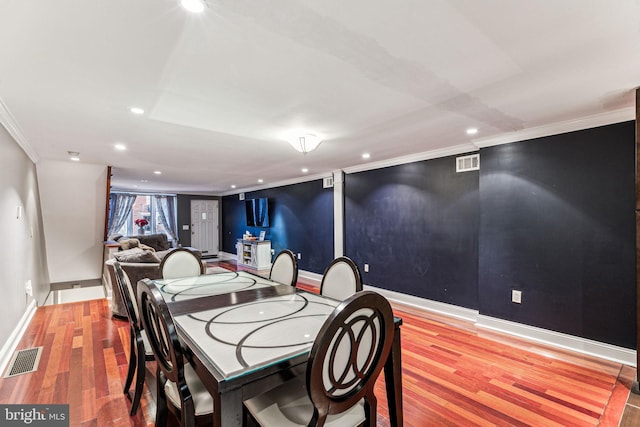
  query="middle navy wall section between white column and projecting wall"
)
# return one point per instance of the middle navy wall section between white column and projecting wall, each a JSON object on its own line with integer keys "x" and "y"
{"x": 416, "y": 225}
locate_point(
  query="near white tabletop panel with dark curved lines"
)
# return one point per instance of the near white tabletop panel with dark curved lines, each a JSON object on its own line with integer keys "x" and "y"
{"x": 242, "y": 338}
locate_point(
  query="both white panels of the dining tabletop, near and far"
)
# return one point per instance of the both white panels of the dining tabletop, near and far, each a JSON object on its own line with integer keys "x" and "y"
{"x": 240, "y": 338}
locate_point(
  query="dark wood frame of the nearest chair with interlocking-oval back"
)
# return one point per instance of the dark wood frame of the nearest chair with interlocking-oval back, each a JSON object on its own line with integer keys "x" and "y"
{"x": 328, "y": 402}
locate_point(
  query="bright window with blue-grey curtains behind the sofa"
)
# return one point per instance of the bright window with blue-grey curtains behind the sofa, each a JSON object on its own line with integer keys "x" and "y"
{"x": 146, "y": 210}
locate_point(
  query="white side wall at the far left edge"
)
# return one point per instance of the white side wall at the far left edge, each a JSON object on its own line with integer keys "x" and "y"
{"x": 22, "y": 252}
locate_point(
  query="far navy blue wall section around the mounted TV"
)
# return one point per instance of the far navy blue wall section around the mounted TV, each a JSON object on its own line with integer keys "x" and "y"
{"x": 301, "y": 219}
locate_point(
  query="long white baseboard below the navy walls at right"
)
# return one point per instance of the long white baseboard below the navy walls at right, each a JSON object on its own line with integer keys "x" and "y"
{"x": 531, "y": 333}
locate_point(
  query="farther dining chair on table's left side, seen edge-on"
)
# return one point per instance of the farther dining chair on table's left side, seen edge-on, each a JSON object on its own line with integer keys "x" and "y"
{"x": 139, "y": 349}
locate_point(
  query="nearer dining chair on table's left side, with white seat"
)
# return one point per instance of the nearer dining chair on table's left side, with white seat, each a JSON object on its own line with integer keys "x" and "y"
{"x": 179, "y": 390}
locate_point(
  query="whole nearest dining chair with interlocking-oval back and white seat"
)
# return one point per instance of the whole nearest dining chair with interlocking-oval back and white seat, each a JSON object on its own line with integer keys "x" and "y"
{"x": 345, "y": 360}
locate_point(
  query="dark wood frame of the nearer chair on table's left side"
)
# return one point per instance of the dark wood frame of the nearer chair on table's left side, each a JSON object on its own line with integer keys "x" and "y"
{"x": 169, "y": 355}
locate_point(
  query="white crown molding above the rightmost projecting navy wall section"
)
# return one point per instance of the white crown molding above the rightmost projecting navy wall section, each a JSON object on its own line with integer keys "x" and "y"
{"x": 607, "y": 118}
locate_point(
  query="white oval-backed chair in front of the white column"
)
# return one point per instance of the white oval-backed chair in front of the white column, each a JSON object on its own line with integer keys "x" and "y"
{"x": 341, "y": 279}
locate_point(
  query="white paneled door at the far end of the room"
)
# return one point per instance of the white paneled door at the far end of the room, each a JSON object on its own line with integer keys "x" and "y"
{"x": 204, "y": 226}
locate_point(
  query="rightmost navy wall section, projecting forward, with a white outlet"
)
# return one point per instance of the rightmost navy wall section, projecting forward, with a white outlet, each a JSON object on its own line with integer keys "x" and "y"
{"x": 557, "y": 223}
